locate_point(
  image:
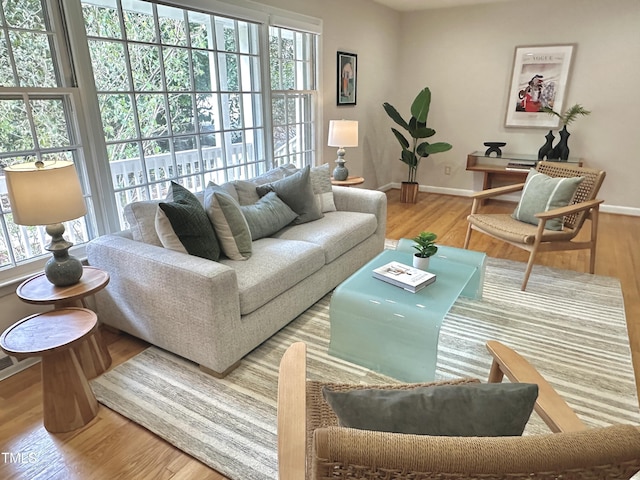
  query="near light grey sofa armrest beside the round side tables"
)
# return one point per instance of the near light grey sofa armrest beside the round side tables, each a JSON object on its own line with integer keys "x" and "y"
{"x": 173, "y": 300}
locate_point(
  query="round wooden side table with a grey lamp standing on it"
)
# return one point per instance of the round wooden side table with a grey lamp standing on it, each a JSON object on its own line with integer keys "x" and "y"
{"x": 93, "y": 354}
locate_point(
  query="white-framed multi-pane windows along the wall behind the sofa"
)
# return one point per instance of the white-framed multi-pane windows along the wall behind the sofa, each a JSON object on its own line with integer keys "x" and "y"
{"x": 158, "y": 92}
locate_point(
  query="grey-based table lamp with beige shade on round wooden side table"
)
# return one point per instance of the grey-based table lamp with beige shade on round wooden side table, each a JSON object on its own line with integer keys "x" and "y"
{"x": 48, "y": 193}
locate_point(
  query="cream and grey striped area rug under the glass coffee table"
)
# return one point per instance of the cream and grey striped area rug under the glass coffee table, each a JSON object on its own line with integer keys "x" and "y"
{"x": 570, "y": 325}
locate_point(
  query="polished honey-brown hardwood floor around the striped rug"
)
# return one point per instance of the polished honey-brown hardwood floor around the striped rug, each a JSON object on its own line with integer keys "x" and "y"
{"x": 111, "y": 447}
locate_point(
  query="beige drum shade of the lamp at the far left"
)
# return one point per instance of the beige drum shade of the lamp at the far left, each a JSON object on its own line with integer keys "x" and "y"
{"x": 44, "y": 193}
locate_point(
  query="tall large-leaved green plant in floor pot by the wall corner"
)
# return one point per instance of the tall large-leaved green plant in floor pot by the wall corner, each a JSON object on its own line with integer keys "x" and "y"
{"x": 415, "y": 150}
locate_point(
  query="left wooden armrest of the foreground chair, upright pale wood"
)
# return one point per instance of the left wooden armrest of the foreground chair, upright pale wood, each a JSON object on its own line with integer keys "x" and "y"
{"x": 292, "y": 413}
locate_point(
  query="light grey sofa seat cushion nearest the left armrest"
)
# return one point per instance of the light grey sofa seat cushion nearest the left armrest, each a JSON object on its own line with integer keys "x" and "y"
{"x": 274, "y": 267}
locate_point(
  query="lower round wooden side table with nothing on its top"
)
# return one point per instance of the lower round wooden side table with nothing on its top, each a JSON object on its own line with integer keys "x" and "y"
{"x": 67, "y": 400}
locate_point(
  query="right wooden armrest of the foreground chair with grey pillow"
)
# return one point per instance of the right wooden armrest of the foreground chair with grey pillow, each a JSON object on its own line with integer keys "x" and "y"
{"x": 550, "y": 406}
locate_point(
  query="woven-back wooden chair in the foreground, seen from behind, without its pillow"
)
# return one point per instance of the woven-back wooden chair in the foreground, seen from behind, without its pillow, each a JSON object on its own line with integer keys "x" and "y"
{"x": 312, "y": 446}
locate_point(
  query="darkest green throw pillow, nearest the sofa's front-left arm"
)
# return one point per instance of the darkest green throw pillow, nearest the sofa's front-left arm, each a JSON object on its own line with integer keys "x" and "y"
{"x": 190, "y": 223}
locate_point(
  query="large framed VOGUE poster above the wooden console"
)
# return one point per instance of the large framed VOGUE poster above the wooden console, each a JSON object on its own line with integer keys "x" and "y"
{"x": 539, "y": 79}
